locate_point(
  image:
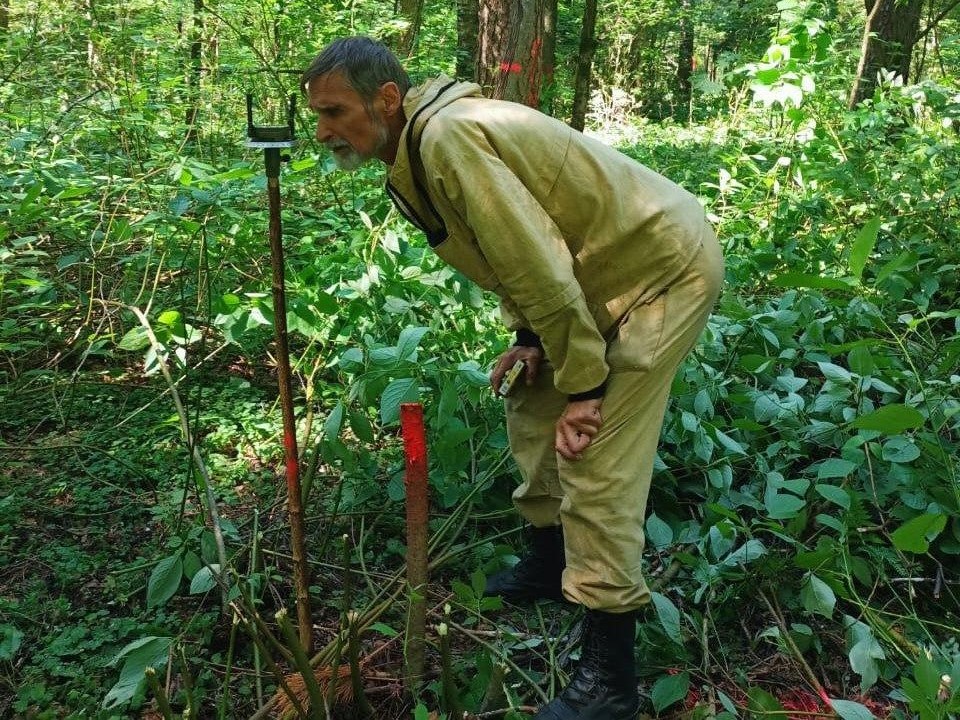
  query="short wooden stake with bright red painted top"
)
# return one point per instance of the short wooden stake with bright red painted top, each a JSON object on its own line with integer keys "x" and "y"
{"x": 415, "y": 483}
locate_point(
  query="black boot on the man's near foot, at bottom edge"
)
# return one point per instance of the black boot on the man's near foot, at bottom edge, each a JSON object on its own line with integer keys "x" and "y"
{"x": 604, "y": 686}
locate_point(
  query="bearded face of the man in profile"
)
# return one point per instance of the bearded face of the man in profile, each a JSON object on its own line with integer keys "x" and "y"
{"x": 353, "y": 131}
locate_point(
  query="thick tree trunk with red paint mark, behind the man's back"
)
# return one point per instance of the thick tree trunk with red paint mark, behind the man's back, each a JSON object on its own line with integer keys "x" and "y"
{"x": 510, "y": 49}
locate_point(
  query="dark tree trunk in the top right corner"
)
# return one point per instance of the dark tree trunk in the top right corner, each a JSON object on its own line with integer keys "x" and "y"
{"x": 888, "y": 39}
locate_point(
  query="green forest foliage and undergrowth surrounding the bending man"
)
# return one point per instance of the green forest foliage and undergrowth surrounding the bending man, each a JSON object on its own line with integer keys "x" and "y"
{"x": 807, "y": 498}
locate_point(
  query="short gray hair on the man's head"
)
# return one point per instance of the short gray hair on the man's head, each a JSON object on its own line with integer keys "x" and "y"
{"x": 366, "y": 65}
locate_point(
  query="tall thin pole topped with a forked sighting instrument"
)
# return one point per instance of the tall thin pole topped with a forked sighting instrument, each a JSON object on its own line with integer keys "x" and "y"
{"x": 273, "y": 139}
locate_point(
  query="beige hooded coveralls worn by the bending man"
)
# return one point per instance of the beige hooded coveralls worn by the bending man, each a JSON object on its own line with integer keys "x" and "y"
{"x": 613, "y": 266}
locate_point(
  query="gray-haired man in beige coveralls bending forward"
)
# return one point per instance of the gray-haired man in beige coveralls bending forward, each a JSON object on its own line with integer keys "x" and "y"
{"x": 607, "y": 273}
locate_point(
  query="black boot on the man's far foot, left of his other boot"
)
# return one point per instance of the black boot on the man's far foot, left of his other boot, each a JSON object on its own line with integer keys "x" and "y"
{"x": 537, "y": 575}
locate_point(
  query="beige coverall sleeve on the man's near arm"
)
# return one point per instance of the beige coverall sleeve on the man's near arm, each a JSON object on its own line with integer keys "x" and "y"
{"x": 523, "y": 246}
